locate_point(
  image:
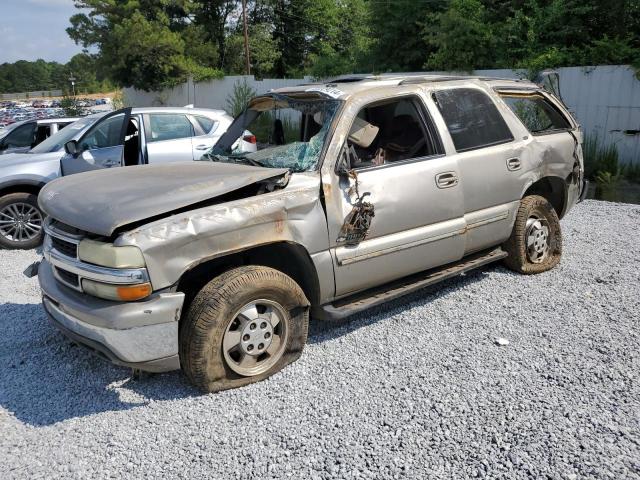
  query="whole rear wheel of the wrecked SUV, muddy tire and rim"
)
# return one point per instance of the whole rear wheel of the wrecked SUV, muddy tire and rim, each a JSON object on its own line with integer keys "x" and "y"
{"x": 535, "y": 244}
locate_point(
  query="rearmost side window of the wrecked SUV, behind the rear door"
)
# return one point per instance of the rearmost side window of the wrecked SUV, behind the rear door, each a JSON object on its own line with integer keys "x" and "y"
{"x": 536, "y": 113}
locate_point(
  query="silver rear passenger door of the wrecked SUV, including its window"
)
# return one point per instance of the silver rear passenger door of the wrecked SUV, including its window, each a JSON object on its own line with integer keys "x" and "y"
{"x": 490, "y": 159}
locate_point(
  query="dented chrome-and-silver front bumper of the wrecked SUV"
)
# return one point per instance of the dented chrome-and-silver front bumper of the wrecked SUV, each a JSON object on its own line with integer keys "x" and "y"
{"x": 142, "y": 335}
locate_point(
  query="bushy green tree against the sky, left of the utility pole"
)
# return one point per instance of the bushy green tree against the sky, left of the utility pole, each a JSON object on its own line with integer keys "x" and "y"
{"x": 142, "y": 42}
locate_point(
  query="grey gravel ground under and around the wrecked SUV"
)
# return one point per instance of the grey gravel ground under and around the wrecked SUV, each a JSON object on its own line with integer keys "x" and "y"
{"x": 417, "y": 389}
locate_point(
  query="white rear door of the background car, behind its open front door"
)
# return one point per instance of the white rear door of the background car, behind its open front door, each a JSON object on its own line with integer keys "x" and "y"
{"x": 168, "y": 137}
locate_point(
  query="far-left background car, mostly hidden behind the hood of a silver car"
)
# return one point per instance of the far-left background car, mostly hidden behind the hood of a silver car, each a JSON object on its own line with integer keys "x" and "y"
{"x": 23, "y": 136}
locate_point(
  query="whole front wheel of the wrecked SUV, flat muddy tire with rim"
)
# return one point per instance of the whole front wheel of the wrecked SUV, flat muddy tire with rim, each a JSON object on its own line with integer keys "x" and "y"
{"x": 242, "y": 327}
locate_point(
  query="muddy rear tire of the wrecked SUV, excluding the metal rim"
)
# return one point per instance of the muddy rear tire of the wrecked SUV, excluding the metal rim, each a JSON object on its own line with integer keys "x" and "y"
{"x": 518, "y": 259}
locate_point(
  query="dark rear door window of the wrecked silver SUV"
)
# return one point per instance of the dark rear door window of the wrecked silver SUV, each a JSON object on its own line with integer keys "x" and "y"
{"x": 473, "y": 120}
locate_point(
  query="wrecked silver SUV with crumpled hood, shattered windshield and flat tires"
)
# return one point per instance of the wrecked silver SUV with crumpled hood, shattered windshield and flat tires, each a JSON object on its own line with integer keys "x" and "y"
{"x": 361, "y": 191}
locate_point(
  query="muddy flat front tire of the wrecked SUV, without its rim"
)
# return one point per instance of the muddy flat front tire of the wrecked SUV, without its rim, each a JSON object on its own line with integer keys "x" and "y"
{"x": 214, "y": 308}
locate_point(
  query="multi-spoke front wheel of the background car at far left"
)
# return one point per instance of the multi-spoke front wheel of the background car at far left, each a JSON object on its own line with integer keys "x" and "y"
{"x": 20, "y": 221}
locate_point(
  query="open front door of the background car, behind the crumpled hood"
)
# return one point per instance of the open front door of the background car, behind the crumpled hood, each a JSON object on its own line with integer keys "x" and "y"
{"x": 102, "y": 146}
